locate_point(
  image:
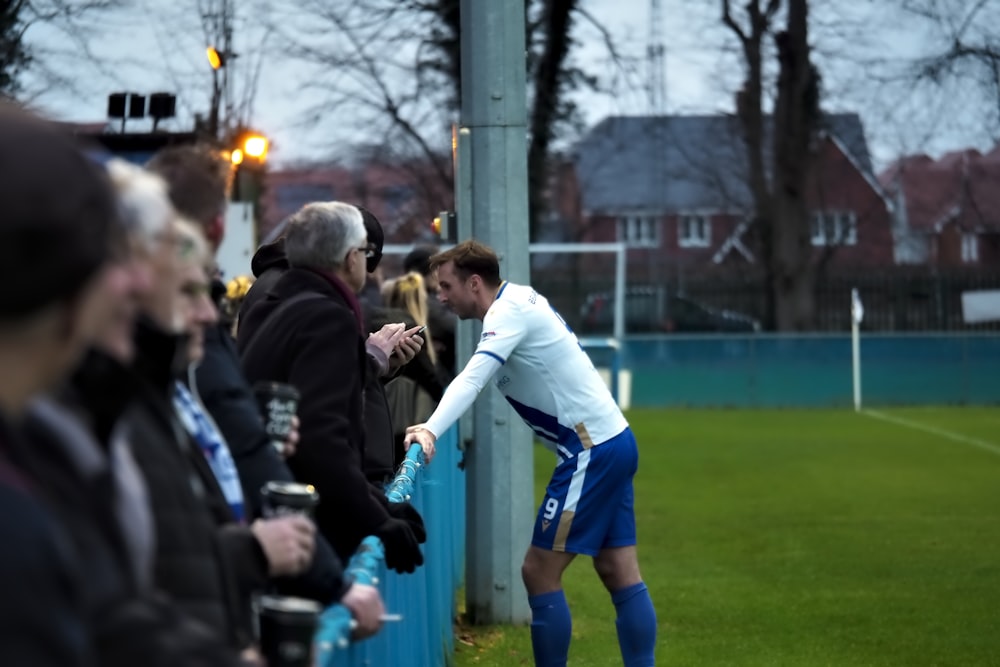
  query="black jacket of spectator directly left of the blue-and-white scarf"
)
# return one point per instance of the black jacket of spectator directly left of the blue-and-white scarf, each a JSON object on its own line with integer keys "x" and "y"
{"x": 201, "y": 558}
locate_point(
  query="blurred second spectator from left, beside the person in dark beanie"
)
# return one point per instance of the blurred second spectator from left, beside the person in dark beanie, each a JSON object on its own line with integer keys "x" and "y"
{"x": 93, "y": 482}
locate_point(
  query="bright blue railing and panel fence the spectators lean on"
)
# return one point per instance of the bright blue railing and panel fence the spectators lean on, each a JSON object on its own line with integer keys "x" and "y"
{"x": 425, "y": 599}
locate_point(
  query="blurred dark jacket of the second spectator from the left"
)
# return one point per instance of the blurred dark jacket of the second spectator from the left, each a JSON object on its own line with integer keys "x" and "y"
{"x": 128, "y": 622}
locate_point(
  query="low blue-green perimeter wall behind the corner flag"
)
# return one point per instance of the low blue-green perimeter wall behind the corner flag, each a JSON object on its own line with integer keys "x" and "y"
{"x": 803, "y": 370}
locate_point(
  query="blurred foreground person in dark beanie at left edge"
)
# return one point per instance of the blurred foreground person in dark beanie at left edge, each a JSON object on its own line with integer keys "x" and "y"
{"x": 57, "y": 231}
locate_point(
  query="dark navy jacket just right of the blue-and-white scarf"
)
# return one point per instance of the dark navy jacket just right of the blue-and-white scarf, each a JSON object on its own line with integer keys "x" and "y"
{"x": 229, "y": 399}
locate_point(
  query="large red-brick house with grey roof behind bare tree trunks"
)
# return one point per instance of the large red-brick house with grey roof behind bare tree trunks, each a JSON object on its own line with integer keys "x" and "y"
{"x": 674, "y": 188}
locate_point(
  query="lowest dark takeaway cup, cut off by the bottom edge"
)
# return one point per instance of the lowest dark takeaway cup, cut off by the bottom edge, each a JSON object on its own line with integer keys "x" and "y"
{"x": 286, "y": 627}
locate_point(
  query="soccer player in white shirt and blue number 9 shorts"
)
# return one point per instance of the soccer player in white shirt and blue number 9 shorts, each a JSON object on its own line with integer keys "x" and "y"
{"x": 537, "y": 363}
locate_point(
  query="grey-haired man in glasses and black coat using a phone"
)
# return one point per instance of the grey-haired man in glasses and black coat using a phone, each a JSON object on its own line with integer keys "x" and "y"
{"x": 309, "y": 331}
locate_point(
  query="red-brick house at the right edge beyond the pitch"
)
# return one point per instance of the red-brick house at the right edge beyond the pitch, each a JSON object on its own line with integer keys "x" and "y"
{"x": 947, "y": 210}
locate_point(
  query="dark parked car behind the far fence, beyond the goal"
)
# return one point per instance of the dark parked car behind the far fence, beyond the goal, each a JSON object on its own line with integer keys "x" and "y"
{"x": 654, "y": 310}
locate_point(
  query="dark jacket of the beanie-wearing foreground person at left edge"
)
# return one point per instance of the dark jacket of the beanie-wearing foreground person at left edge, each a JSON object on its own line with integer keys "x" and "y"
{"x": 41, "y": 605}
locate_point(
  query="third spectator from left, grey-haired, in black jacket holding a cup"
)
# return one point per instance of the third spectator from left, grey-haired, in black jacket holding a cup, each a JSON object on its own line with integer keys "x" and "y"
{"x": 201, "y": 556}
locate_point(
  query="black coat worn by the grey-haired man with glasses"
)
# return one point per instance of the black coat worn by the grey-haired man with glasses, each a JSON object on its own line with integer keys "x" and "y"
{"x": 317, "y": 345}
